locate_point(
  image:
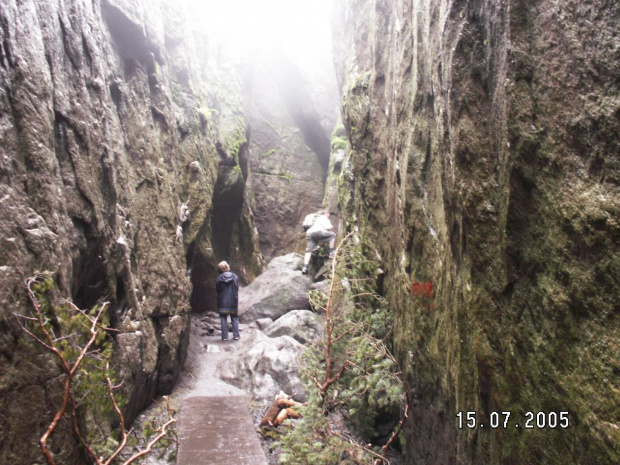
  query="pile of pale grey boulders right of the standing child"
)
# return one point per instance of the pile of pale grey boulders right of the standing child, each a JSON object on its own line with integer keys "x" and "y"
{"x": 276, "y": 304}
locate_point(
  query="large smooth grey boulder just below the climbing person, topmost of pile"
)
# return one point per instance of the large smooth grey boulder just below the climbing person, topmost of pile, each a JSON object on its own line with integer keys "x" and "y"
{"x": 278, "y": 290}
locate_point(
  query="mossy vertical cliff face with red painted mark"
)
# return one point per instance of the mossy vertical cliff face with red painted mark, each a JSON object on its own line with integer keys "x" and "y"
{"x": 483, "y": 175}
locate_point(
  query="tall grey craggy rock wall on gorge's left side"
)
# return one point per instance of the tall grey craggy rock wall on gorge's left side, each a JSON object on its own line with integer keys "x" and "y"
{"x": 108, "y": 140}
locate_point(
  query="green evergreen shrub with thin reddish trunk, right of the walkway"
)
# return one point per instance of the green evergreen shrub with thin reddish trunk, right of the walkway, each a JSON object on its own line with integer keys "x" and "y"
{"x": 351, "y": 377}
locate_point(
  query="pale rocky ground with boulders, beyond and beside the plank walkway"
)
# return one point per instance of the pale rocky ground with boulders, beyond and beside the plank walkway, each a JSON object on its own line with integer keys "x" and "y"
{"x": 257, "y": 366}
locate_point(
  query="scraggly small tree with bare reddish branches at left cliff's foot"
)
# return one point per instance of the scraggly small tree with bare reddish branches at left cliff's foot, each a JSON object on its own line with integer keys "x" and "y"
{"x": 80, "y": 342}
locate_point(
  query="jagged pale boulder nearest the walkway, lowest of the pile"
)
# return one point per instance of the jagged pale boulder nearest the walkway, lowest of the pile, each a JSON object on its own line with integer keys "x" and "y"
{"x": 266, "y": 368}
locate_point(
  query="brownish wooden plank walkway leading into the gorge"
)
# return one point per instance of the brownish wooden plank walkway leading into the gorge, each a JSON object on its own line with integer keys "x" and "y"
{"x": 218, "y": 430}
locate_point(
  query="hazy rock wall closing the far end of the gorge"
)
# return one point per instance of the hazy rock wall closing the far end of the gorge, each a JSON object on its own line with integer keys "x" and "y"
{"x": 292, "y": 108}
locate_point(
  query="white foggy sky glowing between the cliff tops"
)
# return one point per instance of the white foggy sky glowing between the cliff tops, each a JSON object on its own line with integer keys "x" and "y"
{"x": 299, "y": 26}
